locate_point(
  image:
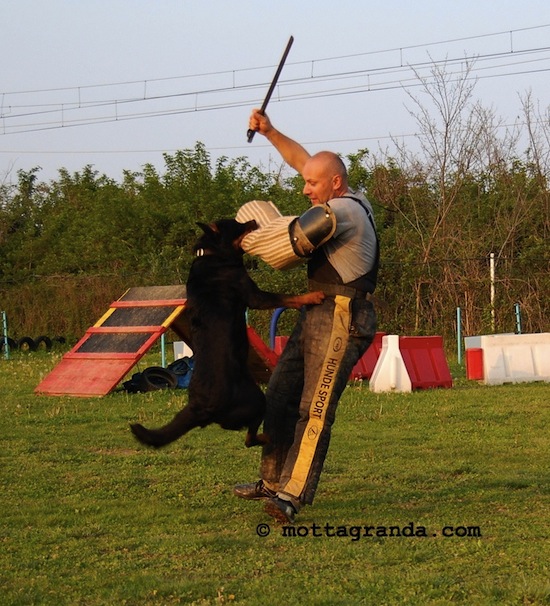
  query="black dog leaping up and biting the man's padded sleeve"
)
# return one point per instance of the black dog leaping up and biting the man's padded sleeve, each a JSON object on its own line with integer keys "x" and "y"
{"x": 219, "y": 290}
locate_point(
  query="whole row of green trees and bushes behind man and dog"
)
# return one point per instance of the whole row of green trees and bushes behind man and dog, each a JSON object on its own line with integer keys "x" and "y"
{"x": 471, "y": 187}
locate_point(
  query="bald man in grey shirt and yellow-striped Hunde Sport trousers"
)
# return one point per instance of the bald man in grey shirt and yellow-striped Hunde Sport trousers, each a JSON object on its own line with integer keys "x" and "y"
{"x": 328, "y": 340}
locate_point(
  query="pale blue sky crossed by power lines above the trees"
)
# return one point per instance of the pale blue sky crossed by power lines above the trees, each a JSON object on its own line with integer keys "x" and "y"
{"x": 189, "y": 70}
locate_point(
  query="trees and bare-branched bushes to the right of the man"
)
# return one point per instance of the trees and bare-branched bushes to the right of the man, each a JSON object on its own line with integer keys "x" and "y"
{"x": 466, "y": 192}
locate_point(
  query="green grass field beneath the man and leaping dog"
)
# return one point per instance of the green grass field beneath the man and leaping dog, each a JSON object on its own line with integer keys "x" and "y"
{"x": 89, "y": 517}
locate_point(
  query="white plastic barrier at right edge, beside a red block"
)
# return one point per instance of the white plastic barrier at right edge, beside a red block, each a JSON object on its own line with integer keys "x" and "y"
{"x": 516, "y": 358}
